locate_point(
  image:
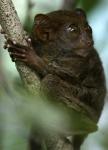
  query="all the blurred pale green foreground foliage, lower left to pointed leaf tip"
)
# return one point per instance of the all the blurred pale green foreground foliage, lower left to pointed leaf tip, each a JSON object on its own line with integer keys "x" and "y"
{"x": 20, "y": 111}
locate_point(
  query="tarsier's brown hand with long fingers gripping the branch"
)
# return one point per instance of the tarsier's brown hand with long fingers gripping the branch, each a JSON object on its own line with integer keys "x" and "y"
{"x": 24, "y": 54}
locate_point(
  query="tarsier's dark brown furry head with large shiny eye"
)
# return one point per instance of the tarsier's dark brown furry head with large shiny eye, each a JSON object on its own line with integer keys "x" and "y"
{"x": 69, "y": 29}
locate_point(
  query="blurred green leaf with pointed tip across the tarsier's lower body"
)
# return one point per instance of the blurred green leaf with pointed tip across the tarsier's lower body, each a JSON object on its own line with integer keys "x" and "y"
{"x": 53, "y": 118}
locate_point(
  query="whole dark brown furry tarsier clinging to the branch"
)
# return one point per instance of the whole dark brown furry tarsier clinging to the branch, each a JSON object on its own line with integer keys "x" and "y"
{"x": 62, "y": 54}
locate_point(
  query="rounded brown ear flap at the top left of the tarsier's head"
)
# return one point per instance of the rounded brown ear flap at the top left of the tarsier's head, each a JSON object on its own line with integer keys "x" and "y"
{"x": 40, "y": 18}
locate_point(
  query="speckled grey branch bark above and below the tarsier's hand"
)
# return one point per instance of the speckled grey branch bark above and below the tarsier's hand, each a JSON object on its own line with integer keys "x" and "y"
{"x": 11, "y": 25}
